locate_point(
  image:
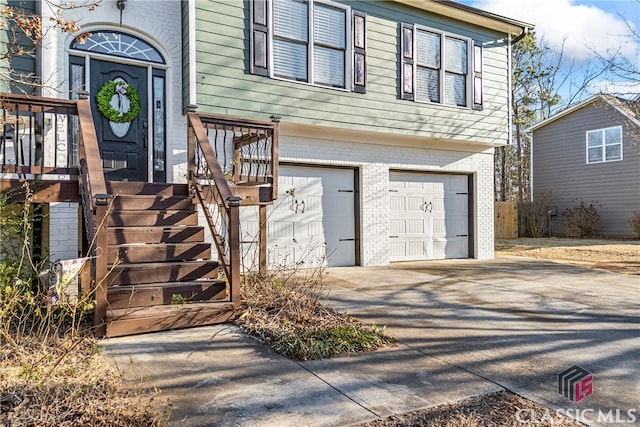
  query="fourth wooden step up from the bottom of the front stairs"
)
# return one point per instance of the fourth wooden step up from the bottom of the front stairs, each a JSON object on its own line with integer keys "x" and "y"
{"x": 133, "y": 253}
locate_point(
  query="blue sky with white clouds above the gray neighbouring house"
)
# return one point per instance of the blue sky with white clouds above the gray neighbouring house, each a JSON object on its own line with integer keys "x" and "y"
{"x": 584, "y": 26}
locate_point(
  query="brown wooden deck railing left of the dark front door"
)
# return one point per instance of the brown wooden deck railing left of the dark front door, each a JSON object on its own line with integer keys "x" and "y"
{"x": 48, "y": 139}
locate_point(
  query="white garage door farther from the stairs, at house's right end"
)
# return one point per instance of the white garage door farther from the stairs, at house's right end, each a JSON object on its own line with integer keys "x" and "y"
{"x": 429, "y": 216}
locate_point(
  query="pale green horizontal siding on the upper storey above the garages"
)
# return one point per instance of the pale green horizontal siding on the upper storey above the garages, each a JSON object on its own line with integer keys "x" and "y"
{"x": 224, "y": 84}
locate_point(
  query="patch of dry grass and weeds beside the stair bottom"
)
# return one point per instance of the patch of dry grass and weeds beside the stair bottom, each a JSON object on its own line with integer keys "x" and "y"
{"x": 285, "y": 311}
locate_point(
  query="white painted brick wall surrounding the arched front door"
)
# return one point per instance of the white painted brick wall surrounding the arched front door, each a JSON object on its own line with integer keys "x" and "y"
{"x": 158, "y": 22}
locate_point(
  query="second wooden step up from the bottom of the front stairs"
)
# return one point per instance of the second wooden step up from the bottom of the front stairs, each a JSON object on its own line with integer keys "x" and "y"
{"x": 145, "y": 295}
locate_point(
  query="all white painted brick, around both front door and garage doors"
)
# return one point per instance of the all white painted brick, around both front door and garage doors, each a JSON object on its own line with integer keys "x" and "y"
{"x": 159, "y": 22}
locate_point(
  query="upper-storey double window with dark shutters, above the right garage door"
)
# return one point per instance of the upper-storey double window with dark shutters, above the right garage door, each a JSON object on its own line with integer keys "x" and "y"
{"x": 440, "y": 68}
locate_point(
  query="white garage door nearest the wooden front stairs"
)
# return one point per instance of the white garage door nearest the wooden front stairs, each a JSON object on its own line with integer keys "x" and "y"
{"x": 312, "y": 222}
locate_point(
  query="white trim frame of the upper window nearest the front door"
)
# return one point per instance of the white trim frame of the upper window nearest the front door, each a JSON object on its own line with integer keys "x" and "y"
{"x": 348, "y": 60}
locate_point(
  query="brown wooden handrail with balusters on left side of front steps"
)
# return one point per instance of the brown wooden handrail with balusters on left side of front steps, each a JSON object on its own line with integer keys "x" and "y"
{"x": 30, "y": 112}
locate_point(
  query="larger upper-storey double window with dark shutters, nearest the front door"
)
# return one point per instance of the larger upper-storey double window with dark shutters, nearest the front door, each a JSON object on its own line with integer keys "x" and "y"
{"x": 312, "y": 41}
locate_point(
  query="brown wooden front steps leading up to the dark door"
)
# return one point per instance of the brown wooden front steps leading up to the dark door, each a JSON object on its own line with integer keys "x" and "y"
{"x": 161, "y": 275}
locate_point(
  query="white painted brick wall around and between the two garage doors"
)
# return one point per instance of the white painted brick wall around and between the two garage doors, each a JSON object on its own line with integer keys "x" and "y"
{"x": 374, "y": 162}
